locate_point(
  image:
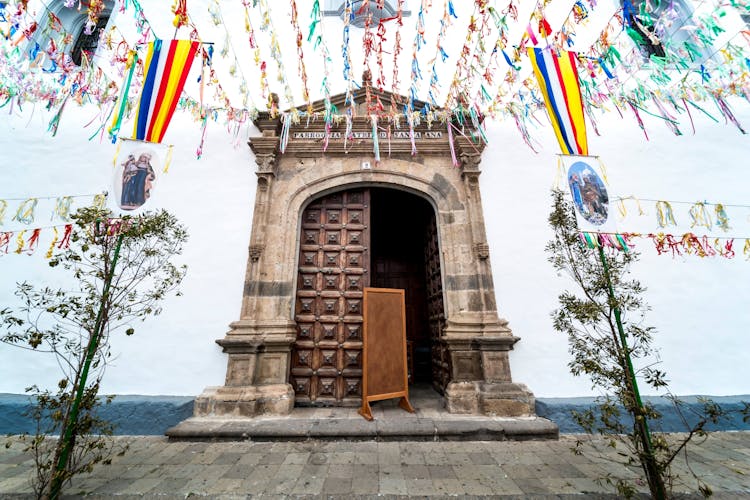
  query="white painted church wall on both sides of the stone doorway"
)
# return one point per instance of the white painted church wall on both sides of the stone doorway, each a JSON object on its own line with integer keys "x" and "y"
{"x": 699, "y": 305}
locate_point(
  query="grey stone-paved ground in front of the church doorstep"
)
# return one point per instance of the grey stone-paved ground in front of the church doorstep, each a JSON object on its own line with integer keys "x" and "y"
{"x": 156, "y": 467}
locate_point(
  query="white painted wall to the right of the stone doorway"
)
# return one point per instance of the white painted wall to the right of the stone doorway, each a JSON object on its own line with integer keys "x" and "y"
{"x": 700, "y": 306}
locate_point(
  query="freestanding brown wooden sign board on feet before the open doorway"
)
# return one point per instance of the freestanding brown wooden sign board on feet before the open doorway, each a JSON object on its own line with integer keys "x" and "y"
{"x": 384, "y": 341}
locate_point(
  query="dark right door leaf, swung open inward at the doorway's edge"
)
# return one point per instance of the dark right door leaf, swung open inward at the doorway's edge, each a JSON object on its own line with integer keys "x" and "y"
{"x": 435, "y": 312}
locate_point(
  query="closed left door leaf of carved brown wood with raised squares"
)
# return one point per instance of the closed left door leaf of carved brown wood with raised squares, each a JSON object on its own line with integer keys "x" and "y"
{"x": 332, "y": 274}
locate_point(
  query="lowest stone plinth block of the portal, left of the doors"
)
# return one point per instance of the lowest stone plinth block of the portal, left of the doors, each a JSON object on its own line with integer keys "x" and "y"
{"x": 245, "y": 401}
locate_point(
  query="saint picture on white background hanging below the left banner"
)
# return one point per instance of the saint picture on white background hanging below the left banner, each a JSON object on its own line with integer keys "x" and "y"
{"x": 135, "y": 177}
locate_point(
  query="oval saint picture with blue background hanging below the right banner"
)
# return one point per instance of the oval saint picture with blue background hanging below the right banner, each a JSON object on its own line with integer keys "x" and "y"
{"x": 588, "y": 192}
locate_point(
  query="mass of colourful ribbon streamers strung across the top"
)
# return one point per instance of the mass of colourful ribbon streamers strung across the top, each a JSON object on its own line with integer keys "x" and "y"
{"x": 696, "y": 72}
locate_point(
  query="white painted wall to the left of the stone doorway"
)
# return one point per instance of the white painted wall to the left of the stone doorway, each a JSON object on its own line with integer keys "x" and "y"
{"x": 213, "y": 197}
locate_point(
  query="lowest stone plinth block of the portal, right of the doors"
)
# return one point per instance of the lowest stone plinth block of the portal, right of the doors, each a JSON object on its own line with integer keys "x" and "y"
{"x": 497, "y": 399}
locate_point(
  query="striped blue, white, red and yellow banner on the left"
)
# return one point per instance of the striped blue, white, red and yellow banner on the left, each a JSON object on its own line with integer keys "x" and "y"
{"x": 166, "y": 70}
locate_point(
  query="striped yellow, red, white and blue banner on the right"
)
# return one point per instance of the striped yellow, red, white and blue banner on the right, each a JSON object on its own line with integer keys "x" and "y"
{"x": 558, "y": 81}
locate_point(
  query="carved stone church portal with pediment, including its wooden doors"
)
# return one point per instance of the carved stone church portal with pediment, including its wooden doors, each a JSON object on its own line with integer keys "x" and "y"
{"x": 422, "y": 195}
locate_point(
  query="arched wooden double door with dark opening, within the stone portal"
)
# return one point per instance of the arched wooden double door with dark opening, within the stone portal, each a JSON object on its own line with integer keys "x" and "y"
{"x": 335, "y": 265}
